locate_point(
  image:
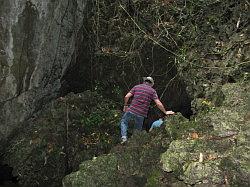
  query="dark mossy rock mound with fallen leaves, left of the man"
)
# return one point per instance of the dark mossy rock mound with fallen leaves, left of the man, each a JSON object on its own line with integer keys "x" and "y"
{"x": 42, "y": 145}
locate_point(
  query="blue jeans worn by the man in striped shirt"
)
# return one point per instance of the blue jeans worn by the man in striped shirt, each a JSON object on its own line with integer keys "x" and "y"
{"x": 127, "y": 116}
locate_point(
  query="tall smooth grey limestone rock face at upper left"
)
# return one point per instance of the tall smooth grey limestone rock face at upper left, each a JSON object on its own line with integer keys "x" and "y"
{"x": 37, "y": 40}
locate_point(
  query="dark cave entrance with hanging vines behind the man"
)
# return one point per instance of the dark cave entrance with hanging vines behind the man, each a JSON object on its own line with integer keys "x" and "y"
{"x": 90, "y": 69}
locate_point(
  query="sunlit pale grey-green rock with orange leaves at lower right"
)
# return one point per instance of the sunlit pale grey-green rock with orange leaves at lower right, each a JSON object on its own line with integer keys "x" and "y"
{"x": 210, "y": 151}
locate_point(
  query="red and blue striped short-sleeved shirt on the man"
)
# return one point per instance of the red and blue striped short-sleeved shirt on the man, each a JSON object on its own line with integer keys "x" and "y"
{"x": 143, "y": 94}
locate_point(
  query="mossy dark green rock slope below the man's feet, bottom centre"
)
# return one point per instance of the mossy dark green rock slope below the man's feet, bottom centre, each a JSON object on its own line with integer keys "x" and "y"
{"x": 135, "y": 164}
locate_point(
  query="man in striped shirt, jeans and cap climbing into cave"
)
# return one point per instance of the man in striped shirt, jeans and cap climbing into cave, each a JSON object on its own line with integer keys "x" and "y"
{"x": 141, "y": 95}
